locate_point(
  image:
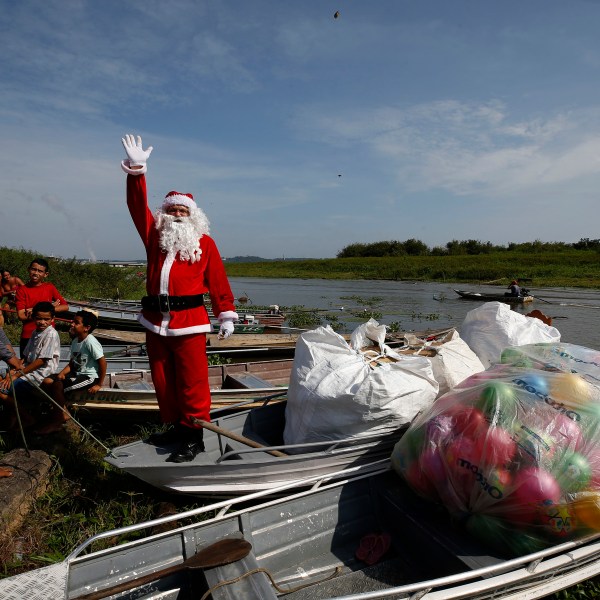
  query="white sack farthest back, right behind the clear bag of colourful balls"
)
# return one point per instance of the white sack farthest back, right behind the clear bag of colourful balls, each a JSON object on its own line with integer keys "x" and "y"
{"x": 493, "y": 326}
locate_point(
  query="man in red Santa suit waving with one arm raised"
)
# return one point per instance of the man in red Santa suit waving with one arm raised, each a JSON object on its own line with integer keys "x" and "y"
{"x": 183, "y": 265}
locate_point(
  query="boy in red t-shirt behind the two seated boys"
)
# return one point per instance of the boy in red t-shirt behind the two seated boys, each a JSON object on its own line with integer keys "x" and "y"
{"x": 34, "y": 291}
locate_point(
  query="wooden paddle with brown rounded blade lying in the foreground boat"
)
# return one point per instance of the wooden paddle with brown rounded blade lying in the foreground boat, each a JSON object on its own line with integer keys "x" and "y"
{"x": 220, "y": 553}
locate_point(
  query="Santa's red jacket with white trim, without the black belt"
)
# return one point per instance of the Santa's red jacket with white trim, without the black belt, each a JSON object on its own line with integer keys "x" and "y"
{"x": 167, "y": 274}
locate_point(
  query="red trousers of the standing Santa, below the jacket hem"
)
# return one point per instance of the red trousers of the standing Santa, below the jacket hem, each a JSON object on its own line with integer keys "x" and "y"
{"x": 180, "y": 375}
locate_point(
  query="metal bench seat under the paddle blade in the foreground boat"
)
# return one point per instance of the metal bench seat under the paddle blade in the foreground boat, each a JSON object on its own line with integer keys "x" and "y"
{"x": 252, "y": 587}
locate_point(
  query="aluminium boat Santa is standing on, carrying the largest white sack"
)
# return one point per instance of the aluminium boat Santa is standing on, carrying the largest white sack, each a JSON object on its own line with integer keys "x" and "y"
{"x": 230, "y": 468}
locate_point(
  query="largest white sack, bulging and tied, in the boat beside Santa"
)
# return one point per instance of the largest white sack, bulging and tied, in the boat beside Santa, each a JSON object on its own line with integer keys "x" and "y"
{"x": 335, "y": 394}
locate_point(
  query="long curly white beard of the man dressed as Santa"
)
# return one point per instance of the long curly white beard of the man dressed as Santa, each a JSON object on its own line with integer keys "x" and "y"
{"x": 181, "y": 235}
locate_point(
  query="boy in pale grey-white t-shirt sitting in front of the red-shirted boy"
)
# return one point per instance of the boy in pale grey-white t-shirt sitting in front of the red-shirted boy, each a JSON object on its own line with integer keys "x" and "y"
{"x": 41, "y": 358}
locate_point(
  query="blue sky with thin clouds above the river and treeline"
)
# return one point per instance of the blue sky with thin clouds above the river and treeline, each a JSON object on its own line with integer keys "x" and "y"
{"x": 298, "y": 133}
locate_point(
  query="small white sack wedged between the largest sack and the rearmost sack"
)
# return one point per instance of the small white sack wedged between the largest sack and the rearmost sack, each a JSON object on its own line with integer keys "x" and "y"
{"x": 453, "y": 362}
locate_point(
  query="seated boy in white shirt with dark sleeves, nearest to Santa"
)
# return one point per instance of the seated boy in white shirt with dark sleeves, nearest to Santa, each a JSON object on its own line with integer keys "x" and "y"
{"x": 86, "y": 369}
